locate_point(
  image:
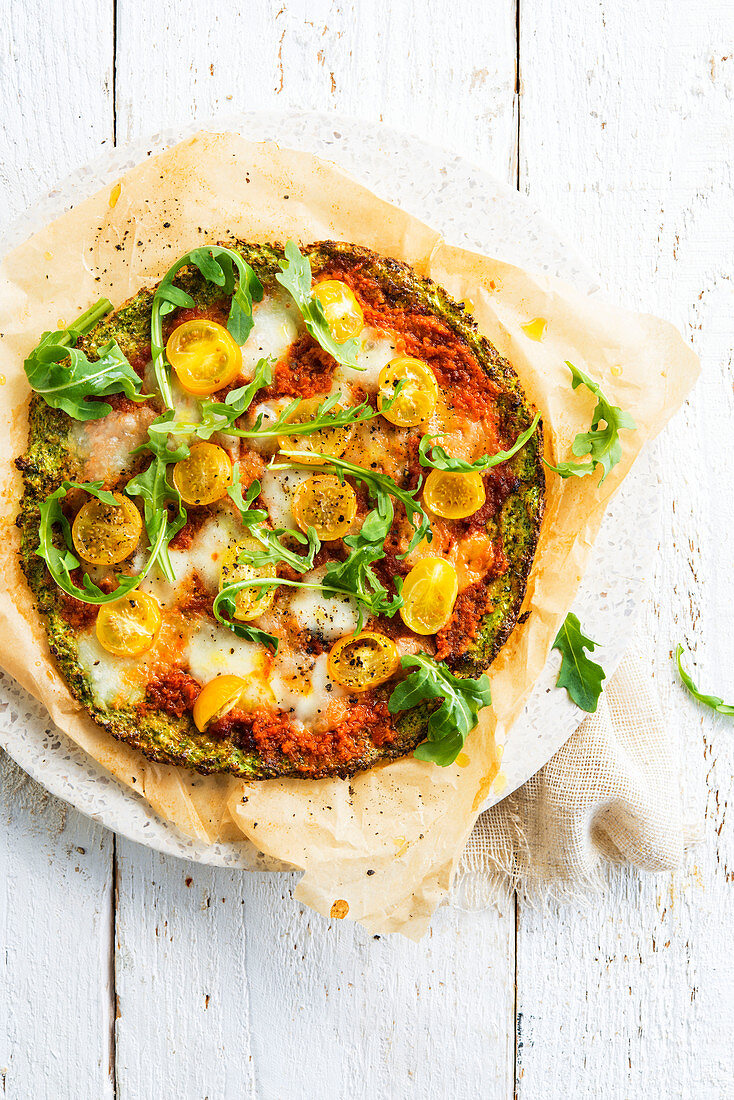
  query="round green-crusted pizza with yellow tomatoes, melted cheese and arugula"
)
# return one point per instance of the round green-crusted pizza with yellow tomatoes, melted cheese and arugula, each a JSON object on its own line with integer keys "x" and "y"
{"x": 280, "y": 512}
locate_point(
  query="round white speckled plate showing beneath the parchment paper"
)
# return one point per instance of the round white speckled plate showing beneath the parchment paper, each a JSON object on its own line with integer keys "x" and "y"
{"x": 472, "y": 210}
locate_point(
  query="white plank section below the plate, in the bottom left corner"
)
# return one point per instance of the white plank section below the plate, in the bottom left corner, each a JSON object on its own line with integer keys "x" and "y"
{"x": 56, "y": 945}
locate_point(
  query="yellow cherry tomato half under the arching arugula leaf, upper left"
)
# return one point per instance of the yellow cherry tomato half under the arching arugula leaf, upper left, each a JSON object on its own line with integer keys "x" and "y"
{"x": 204, "y": 356}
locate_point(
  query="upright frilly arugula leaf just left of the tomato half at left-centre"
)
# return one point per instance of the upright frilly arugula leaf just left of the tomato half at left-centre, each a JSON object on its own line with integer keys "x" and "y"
{"x": 157, "y": 492}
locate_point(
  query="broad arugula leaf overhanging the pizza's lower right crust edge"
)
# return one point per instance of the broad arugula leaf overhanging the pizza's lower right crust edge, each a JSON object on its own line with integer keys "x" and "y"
{"x": 451, "y": 724}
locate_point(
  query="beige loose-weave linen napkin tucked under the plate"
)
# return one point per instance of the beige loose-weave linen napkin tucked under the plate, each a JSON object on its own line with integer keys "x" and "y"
{"x": 611, "y": 796}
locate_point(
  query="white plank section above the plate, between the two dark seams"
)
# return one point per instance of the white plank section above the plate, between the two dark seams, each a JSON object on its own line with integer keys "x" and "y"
{"x": 445, "y": 74}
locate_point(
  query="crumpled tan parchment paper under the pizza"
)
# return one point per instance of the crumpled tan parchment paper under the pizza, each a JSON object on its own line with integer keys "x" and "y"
{"x": 382, "y": 848}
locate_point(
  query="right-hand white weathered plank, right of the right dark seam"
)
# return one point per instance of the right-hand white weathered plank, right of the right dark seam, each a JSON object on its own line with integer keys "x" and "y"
{"x": 627, "y": 117}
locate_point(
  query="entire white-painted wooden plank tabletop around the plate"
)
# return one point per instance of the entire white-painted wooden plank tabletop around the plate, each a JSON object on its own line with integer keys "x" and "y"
{"x": 126, "y": 974}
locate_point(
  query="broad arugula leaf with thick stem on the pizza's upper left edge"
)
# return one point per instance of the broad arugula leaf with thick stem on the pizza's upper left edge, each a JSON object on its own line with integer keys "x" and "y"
{"x": 67, "y": 379}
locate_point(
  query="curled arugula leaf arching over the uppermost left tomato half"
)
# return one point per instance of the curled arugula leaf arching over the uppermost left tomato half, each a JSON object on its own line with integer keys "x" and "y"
{"x": 217, "y": 266}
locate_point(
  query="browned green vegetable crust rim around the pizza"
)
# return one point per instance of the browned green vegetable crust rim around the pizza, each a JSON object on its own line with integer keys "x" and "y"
{"x": 48, "y": 461}
